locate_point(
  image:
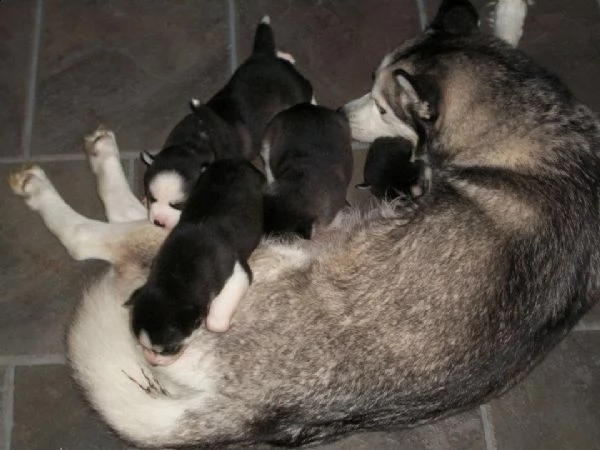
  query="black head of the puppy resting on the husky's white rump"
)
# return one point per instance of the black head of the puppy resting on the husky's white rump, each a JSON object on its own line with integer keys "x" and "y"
{"x": 161, "y": 326}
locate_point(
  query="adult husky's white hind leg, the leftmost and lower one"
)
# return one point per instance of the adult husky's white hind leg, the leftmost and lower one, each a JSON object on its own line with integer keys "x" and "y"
{"x": 82, "y": 237}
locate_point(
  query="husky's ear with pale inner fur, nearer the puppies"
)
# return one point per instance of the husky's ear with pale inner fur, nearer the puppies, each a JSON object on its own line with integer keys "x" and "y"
{"x": 422, "y": 95}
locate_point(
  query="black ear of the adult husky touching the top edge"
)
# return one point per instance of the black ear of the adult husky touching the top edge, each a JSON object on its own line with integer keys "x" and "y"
{"x": 457, "y": 17}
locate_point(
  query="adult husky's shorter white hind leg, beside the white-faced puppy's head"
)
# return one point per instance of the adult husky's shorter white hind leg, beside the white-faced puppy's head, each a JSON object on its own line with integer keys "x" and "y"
{"x": 119, "y": 202}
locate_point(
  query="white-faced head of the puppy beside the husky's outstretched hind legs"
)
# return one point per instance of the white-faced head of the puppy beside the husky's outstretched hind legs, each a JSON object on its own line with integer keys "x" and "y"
{"x": 167, "y": 183}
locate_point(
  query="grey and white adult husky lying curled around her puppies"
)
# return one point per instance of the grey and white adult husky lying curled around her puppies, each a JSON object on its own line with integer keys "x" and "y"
{"x": 409, "y": 313}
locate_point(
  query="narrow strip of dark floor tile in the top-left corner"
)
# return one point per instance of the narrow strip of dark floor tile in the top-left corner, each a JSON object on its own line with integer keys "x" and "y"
{"x": 16, "y": 29}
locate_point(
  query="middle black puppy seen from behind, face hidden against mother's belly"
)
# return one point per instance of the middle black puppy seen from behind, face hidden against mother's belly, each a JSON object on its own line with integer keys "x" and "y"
{"x": 308, "y": 161}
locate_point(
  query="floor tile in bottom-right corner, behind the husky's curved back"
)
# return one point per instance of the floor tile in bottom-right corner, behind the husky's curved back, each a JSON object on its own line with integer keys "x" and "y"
{"x": 556, "y": 406}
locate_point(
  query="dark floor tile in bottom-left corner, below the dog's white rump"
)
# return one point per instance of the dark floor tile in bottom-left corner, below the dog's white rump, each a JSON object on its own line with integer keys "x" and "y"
{"x": 50, "y": 414}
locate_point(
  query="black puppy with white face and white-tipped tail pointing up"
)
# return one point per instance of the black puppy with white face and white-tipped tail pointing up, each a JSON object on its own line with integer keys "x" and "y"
{"x": 231, "y": 124}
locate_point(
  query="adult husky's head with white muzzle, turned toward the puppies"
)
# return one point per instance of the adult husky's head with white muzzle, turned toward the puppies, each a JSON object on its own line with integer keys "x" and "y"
{"x": 405, "y": 93}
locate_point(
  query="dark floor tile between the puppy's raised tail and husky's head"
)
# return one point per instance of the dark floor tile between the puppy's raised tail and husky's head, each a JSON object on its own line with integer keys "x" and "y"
{"x": 337, "y": 44}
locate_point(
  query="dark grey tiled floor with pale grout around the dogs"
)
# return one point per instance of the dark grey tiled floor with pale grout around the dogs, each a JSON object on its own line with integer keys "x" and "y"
{"x": 68, "y": 65}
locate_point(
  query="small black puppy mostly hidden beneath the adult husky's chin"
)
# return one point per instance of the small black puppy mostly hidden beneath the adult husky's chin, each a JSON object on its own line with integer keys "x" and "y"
{"x": 391, "y": 171}
